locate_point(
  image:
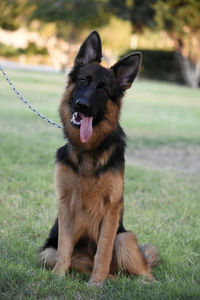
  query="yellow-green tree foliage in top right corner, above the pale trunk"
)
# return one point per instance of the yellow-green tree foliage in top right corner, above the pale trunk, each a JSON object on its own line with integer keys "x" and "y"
{"x": 181, "y": 20}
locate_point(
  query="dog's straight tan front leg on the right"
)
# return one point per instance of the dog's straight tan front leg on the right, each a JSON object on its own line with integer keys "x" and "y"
{"x": 107, "y": 235}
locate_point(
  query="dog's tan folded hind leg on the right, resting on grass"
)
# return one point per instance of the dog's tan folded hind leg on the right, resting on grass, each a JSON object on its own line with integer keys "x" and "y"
{"x": 130, "y": 257}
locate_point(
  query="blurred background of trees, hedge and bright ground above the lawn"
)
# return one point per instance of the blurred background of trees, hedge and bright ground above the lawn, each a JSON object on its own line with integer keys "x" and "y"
{"x": 47, "y": 32}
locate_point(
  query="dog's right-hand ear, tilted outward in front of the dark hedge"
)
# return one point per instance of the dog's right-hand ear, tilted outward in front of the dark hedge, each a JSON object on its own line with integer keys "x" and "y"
{"x": 126, "y": 69}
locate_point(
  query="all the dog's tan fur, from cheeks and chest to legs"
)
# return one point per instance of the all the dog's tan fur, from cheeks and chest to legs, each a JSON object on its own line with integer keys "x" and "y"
{"x": 90, "y": 206}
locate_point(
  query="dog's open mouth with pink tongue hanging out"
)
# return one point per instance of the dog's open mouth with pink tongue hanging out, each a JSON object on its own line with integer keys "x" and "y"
{"x": 79, "y": 120}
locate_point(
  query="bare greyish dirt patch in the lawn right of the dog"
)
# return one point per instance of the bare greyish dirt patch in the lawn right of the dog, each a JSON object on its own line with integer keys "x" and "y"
{"x": 185, "y": 160}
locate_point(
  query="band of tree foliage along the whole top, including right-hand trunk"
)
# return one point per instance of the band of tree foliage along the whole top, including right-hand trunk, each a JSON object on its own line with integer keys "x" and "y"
{"x": 179, "y": 18}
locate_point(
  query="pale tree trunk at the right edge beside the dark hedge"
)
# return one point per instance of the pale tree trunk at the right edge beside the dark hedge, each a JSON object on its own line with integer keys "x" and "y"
{"x": 190, "y": 71}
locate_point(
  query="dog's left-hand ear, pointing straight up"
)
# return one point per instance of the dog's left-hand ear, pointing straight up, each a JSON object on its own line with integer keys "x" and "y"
{"x": 90, "y": 50}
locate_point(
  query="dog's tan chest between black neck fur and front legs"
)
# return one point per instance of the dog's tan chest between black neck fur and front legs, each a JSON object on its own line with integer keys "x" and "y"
{"x": 87, "y": 198}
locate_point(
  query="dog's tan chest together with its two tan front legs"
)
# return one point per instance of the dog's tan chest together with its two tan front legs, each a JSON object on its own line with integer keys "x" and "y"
{"x": 80, "y": 213}
